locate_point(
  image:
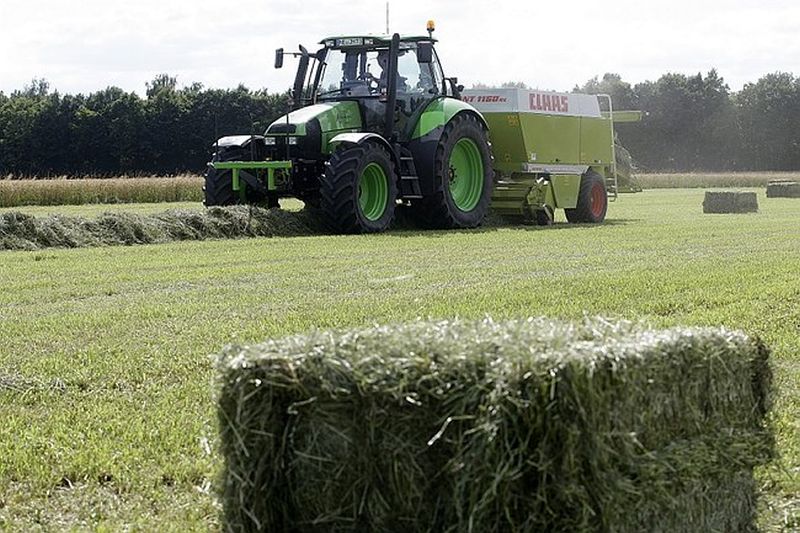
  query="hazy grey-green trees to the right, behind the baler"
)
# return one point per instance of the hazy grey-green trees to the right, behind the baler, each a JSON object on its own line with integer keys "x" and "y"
{"x": 695, "y": 123}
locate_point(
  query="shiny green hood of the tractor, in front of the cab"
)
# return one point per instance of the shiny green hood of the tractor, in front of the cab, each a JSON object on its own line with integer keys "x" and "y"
{"x": 326, "y": 118}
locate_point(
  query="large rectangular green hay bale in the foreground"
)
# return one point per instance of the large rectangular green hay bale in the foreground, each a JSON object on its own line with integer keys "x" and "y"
{"x": 527, "y": 425}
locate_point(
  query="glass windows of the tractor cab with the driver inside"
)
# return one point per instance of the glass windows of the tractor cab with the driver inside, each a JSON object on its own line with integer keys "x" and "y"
{"x": 364, "y": 72}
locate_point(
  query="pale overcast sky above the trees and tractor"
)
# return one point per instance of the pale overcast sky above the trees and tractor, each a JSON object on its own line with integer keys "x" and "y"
{"x": 87, "y": 45}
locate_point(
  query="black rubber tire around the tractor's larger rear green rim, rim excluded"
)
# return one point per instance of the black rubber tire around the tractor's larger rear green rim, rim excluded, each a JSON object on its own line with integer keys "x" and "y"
{"x": 439, "y": 210}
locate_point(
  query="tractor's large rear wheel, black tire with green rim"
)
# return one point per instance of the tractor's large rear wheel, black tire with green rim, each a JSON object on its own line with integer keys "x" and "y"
{"x": 463, "y": 177}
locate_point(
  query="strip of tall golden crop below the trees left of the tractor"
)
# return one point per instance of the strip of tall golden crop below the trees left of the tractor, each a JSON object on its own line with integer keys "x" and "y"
{"x": 63, "y": 191}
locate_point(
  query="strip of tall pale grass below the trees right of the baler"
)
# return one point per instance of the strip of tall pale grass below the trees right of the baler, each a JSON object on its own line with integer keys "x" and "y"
{"x": 706, "y": 180}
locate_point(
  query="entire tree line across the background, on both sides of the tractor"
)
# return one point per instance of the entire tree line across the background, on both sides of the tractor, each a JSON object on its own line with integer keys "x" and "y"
{"x": 691, "y": 123}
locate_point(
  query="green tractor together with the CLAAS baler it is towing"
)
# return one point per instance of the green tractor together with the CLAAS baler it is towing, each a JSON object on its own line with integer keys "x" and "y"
{"x": 377, "y": 127}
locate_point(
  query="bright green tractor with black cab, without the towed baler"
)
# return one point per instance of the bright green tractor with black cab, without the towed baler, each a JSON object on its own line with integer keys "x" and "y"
{"x": 375, "y": 126}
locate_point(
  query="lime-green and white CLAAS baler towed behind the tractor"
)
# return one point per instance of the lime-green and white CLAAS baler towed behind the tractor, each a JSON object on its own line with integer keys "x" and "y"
{"x": 551, "y": 151}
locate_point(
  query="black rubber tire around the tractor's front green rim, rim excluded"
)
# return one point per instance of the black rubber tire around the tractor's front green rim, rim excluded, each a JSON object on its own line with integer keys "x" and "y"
{"x": 341, "y": 189}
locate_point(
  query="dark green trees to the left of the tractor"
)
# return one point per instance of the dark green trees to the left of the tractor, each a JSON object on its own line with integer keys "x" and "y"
{"x": 112, "y": 131}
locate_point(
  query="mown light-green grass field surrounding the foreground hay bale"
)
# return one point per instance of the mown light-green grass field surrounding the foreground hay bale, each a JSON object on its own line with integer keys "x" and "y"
{"x": 106, "y": 392}
